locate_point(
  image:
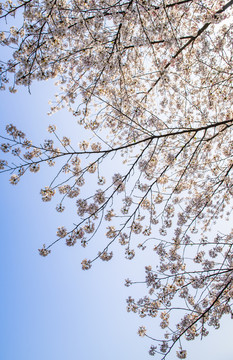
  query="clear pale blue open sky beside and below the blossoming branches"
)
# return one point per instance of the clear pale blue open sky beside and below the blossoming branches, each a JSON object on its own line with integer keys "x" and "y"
{"x": 50, "y": 308}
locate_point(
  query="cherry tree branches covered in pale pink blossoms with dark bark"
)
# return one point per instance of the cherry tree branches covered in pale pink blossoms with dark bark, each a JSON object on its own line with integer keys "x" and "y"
{"x": 152, "y": 81}
